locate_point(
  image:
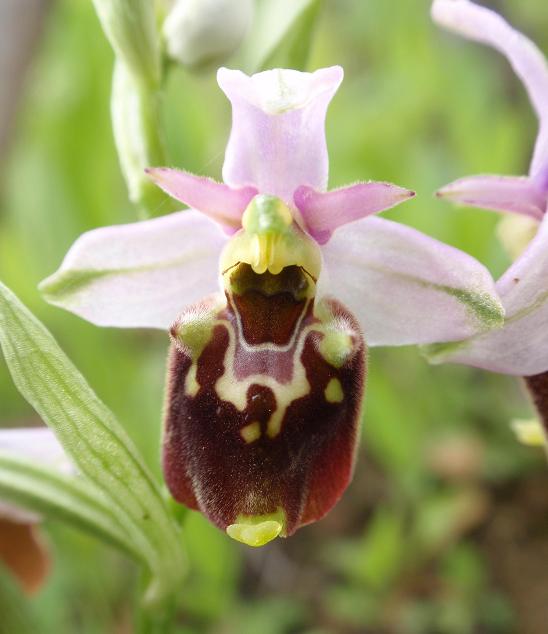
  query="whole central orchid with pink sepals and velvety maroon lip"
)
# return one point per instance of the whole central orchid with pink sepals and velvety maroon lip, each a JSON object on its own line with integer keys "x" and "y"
{"x": 267, "y": 284}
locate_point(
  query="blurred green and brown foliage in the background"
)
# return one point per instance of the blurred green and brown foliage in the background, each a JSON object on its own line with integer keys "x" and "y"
{"x": 445, "y": 527}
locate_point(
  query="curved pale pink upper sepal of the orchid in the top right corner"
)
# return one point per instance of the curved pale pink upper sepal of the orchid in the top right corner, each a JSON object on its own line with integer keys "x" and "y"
{"x": 481, "y": 24}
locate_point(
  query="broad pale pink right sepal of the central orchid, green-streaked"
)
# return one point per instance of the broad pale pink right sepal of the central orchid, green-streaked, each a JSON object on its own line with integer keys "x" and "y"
{"x": 407, "y": 288}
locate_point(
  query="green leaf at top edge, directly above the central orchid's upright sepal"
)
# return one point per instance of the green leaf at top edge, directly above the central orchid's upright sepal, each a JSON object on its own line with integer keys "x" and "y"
{"x": 281, "y": 35}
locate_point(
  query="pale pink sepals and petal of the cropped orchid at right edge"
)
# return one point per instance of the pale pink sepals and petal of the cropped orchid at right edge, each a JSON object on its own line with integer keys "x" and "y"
{"x": 521, "y": 346}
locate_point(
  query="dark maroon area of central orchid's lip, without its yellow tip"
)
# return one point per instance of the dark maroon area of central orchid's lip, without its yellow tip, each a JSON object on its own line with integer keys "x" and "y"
{"x": 304, "y": 469}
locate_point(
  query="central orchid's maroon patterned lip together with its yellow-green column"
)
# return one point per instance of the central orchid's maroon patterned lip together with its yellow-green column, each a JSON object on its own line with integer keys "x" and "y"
{"x": 265, "y": 387}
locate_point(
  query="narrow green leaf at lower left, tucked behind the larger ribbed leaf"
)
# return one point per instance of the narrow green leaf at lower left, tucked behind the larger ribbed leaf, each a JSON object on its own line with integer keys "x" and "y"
{"x": 59, "y": 496}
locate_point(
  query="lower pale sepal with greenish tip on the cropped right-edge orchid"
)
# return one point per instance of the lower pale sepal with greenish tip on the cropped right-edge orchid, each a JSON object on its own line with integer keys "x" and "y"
{"x": 521, "y": 346}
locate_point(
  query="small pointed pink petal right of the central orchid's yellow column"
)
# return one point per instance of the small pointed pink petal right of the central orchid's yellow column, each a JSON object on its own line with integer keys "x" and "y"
{"x": 324, "y": 212}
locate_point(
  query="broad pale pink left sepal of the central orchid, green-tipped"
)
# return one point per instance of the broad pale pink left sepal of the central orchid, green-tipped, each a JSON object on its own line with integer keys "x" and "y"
{"x": 139, "y": 275}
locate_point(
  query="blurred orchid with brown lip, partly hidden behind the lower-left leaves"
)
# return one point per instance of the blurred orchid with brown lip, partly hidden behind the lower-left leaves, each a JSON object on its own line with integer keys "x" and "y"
{"x": 22, "y": 549}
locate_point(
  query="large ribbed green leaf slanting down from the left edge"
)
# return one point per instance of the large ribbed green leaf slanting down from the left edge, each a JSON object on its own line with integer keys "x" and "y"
{"x": 94, "y": 440}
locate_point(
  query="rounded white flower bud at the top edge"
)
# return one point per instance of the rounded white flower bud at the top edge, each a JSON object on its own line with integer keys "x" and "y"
{"x": 201, "y": 32}
